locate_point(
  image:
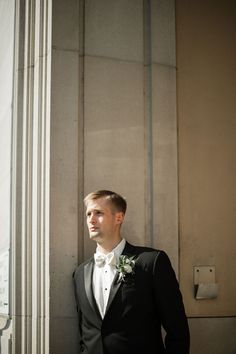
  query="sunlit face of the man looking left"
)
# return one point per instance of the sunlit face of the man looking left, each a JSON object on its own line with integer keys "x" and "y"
{"x": 102, "y": 221}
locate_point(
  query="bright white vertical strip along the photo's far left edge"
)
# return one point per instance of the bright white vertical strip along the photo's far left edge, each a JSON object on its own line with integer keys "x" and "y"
{"x": 6, "y": 88}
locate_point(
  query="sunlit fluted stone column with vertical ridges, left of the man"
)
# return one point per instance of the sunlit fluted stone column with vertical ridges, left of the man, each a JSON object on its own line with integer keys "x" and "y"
{"x": 30, "y": 180}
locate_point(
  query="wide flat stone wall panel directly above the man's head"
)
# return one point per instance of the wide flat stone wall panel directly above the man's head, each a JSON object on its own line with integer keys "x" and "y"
{"x": 114, "y": 129}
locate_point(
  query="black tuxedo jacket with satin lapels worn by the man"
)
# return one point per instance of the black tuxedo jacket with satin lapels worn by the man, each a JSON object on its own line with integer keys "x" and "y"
{"x": 136, "y": 309}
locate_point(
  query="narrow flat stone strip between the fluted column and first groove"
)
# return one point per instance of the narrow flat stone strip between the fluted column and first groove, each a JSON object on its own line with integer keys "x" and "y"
{"x": 64, "y": 175}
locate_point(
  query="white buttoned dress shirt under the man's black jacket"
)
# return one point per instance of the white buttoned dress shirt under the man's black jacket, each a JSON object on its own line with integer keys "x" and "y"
{"x": 103, "y": 277}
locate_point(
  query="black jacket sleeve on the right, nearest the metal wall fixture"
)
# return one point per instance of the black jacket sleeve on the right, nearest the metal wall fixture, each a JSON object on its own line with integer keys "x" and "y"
{"x": 170, "y": 306}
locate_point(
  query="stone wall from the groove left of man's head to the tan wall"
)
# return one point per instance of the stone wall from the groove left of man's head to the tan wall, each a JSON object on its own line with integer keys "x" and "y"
{"x": 120, "y": 152}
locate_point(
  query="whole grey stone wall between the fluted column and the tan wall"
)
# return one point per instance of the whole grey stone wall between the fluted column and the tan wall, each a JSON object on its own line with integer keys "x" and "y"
{"x": 103, "y": 134}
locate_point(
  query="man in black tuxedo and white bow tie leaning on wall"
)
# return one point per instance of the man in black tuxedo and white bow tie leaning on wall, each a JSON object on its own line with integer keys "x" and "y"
{"x": 126, "y": 293}
